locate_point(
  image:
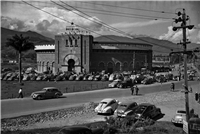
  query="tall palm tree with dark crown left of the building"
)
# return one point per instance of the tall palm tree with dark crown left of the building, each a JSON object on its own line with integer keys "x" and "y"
{"x": 20, "y": 44}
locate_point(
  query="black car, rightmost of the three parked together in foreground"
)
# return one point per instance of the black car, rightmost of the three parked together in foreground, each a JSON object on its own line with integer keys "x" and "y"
{"x": 146, "y": 110}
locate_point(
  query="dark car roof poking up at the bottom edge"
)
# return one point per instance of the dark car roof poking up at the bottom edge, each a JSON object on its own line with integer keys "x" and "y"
{"x": 80, "y": 130}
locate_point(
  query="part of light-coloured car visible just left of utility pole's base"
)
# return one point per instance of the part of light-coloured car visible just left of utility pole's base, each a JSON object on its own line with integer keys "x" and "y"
{"x": 179, "y": 117}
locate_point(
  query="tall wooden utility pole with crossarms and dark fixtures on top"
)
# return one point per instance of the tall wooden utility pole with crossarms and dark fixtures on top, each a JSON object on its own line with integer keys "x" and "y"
{"x": 184, "y": 26}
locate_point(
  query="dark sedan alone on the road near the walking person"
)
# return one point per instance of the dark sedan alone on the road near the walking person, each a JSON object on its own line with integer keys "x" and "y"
{"x": 47, "y": 92}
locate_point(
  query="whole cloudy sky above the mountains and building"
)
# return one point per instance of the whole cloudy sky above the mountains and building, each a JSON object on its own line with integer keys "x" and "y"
{"x": 120, "y": 17}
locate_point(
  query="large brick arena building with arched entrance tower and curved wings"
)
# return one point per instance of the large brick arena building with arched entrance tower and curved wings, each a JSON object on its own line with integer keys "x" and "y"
{"x": 84, "y": 53}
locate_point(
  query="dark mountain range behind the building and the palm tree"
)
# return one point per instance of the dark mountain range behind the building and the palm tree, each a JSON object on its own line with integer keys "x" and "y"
{"x": 163, "y": 47}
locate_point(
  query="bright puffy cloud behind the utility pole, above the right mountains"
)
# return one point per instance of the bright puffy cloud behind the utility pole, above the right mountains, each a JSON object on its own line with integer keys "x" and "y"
{"x": 176, "y": 36}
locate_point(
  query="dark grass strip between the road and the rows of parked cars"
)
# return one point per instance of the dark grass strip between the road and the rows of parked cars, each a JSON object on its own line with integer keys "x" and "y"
{"x": 9, "y": 89}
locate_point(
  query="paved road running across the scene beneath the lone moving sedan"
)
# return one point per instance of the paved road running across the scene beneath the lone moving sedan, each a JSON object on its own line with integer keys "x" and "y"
{"x": 17, "y": 107}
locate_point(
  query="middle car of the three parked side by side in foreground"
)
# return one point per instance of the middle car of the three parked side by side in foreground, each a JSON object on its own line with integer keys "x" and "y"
{"x": 124, "y": 109}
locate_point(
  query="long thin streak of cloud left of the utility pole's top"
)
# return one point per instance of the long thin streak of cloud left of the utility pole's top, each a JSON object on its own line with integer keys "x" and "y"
{"x": 137, "y": 24}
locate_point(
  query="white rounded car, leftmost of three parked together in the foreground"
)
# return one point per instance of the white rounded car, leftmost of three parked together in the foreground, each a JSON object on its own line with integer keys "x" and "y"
{"x": 107, "y": 106}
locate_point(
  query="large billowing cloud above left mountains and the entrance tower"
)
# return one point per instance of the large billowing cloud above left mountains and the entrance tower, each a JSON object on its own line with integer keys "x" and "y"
{"x": 49, "y": 25}
